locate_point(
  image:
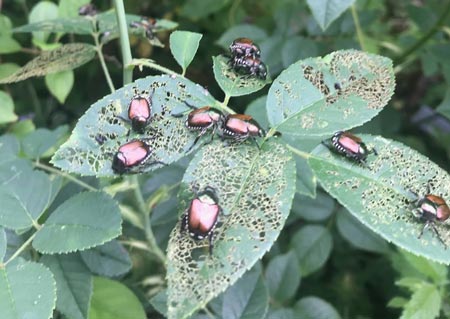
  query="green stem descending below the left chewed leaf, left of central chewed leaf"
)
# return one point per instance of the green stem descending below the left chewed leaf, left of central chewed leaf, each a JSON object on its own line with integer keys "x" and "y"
{"x": 144, "y": 210}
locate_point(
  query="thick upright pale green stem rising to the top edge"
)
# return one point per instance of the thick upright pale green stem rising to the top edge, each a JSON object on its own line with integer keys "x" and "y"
{"x": 124, "y": 42}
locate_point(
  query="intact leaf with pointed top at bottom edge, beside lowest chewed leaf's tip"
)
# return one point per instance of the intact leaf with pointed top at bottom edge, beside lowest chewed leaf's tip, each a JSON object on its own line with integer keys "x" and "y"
{"x": 248, "y": 298}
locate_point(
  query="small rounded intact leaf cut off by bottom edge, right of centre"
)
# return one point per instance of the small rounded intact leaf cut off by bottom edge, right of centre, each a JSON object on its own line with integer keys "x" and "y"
{"x": 315, "y": 308}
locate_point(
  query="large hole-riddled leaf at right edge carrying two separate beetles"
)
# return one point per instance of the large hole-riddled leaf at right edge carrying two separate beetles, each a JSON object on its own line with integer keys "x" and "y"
{"x": 378, "y": 195}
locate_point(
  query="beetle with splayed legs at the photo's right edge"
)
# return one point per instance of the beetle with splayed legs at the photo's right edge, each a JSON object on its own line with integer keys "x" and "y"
{"x": 431, "y": 209}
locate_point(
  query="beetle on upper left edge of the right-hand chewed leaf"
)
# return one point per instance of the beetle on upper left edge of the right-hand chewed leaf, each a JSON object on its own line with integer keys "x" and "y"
{"x": 349, "y": 145}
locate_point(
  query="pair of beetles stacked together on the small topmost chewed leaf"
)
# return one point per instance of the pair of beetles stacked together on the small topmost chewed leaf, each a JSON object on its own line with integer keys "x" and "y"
{"x": 246, "y": 58}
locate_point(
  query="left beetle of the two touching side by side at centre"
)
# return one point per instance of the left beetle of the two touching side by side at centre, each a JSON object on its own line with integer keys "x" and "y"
{"x": 201, "y": 119}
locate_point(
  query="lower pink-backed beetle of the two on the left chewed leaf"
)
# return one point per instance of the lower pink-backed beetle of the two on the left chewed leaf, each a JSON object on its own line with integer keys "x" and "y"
{"x": 131, "y": 155}
